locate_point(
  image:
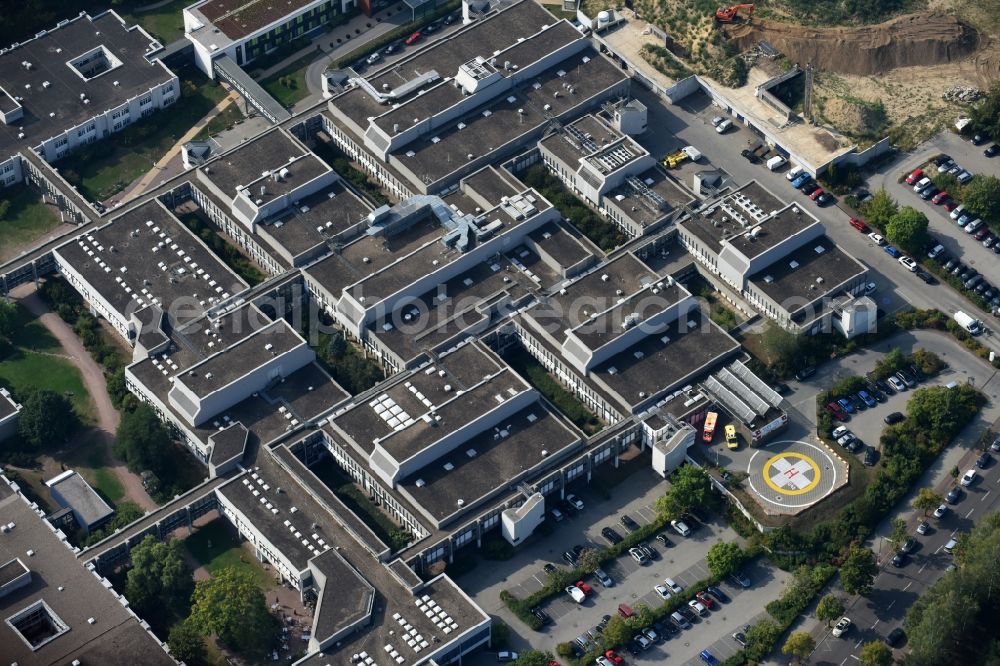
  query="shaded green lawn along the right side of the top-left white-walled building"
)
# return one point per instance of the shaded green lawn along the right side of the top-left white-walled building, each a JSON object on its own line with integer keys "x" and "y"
{"x": 103, "y": 169}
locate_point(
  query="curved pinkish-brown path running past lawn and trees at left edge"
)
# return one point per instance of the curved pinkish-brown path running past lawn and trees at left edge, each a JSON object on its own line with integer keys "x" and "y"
{"x": 93, "y": 379}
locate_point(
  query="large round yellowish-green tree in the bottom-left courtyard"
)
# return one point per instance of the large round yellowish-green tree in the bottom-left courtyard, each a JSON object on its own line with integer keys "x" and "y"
{"x": 232, "y": 606}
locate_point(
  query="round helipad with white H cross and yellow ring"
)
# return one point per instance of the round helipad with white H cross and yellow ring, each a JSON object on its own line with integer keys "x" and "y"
{"x": 788, "y": 476}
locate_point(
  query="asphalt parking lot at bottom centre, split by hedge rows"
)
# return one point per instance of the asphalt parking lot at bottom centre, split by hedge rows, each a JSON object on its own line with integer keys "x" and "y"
{"x": 684, "y": 561}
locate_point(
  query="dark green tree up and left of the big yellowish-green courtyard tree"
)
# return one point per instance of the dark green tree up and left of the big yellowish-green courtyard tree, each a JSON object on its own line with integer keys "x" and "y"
{"x": 159, "y": 578}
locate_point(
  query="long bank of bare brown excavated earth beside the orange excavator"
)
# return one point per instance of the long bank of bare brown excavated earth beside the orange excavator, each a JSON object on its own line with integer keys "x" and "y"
{"x": 915, "y": 39}
